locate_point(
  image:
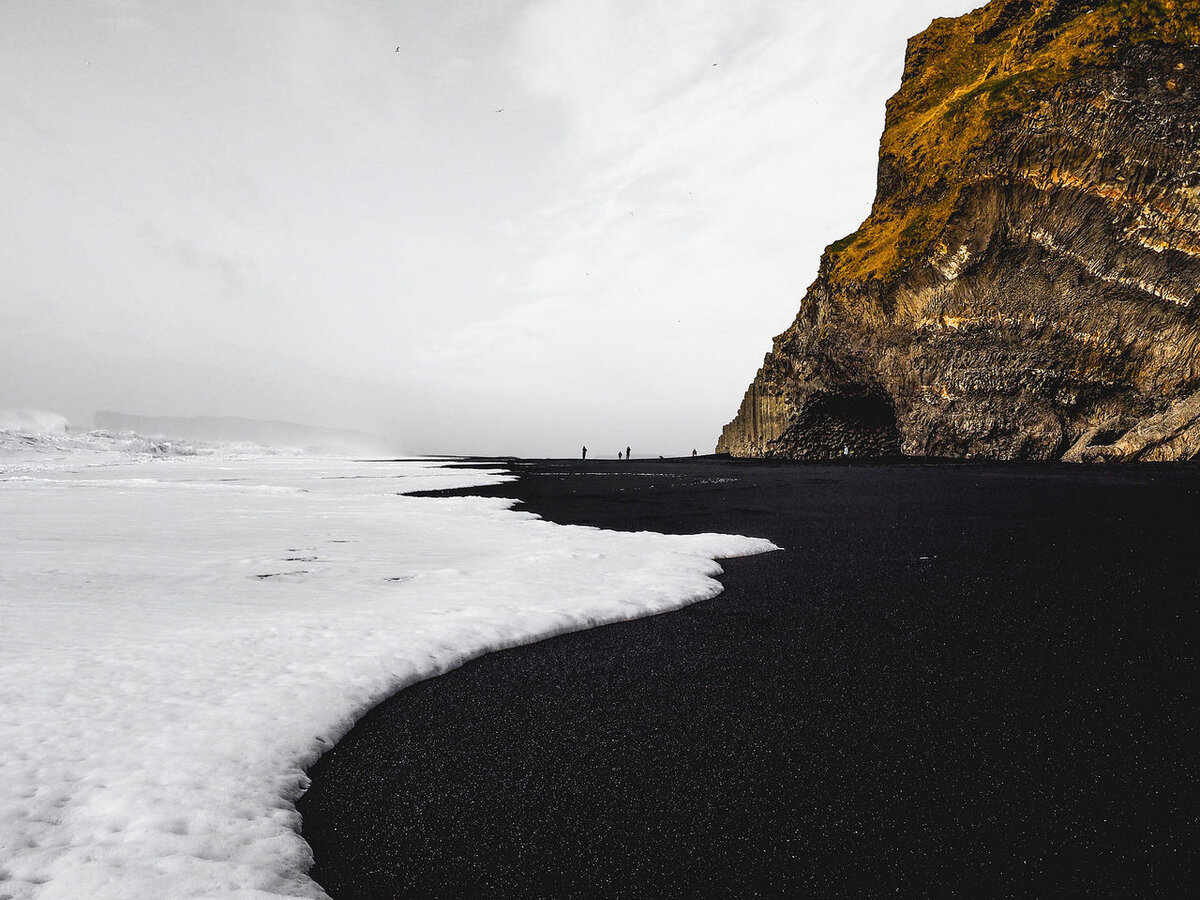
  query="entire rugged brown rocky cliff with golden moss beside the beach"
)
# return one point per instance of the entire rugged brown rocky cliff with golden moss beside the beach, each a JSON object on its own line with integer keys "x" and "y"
{"x": 1028, "y": 284}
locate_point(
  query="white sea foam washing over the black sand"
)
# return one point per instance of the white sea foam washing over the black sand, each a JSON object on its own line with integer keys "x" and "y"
{"x": 185, "y": 635}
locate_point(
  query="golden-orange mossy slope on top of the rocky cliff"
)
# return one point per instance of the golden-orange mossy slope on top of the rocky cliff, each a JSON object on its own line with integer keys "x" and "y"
{"x": 967, "y": 77}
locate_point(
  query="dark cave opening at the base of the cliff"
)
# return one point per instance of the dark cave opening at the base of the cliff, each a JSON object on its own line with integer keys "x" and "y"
{"x": 833, "y": 425}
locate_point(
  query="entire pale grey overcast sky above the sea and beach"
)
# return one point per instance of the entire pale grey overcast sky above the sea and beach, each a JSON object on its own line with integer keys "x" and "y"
{"x": 475, "y": 226}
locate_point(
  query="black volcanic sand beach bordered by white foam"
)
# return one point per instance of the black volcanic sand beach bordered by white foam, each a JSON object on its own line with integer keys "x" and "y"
{"x": 956, "y": 680}
